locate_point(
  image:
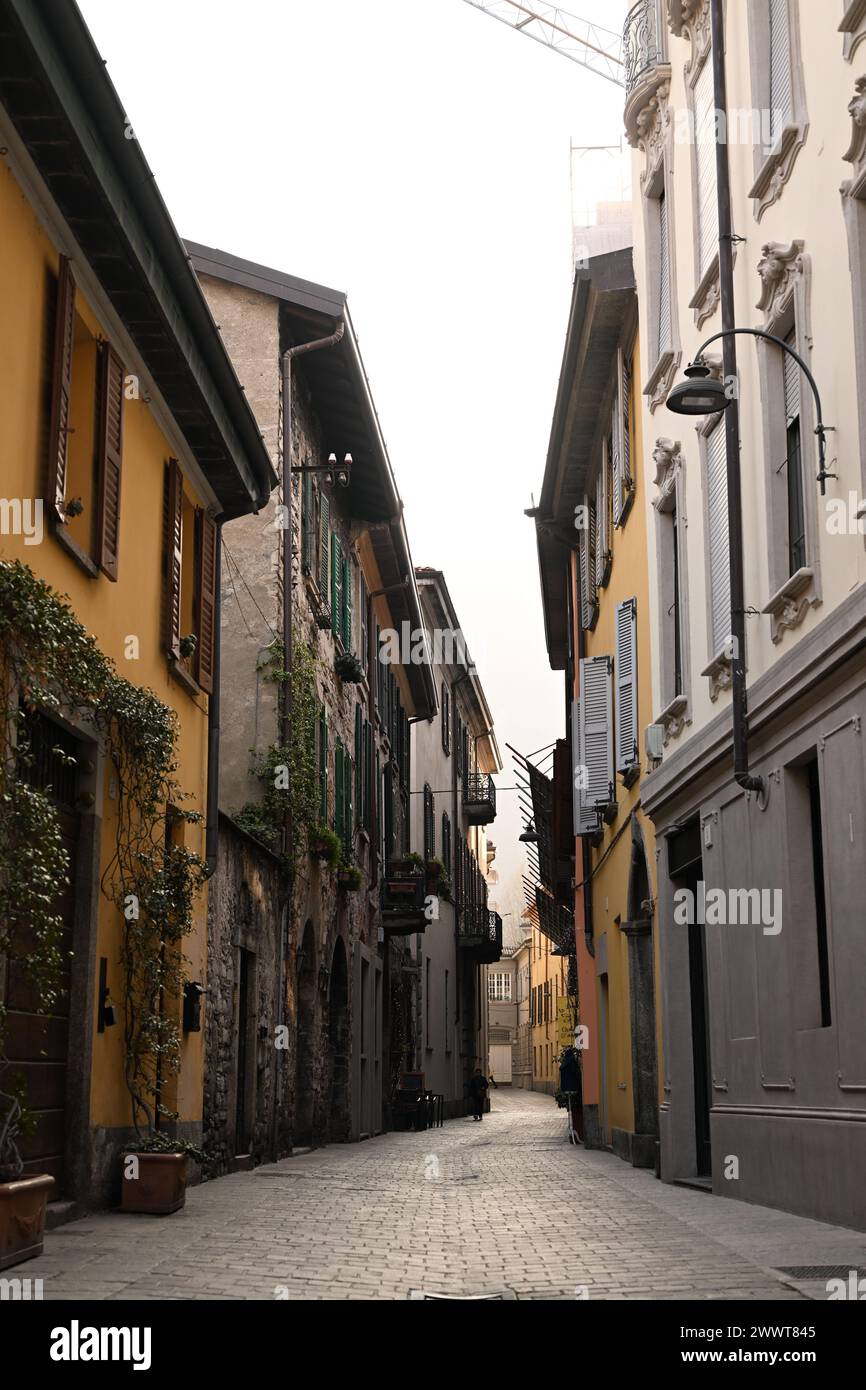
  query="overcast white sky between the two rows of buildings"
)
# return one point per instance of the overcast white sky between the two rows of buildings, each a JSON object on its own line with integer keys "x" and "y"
{"x": 416, "y": 155}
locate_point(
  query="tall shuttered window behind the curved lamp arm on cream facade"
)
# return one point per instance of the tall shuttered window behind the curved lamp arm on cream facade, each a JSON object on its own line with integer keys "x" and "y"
{"x": 790, "y": 452}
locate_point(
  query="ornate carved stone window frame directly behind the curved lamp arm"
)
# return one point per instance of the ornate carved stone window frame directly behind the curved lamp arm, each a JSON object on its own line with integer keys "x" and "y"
{"x": 786, "y": 275}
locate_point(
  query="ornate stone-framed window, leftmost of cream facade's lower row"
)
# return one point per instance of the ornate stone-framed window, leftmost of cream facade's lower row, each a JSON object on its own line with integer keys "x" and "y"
{"x": 671, "y": 512}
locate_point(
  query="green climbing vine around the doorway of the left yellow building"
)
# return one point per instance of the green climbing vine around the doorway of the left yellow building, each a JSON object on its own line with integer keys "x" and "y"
{"x": 51, "y": 664}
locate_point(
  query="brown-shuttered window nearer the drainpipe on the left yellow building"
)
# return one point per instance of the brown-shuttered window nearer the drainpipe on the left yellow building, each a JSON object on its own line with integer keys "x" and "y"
{"x": 190, "y": 573}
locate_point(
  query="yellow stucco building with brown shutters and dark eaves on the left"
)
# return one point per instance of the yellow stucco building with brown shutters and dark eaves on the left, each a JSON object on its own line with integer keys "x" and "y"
{"x": 127, "y": 443}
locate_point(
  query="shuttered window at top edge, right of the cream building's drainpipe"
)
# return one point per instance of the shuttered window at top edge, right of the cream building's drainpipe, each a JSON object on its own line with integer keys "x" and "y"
{"x": 779, "y": 98}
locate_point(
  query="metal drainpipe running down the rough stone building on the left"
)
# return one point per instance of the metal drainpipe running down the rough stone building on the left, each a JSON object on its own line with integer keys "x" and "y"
{"x": 288, "y": 357}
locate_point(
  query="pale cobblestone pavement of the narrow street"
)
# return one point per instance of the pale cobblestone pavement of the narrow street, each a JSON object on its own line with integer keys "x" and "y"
{"x": 469, "y": 1209}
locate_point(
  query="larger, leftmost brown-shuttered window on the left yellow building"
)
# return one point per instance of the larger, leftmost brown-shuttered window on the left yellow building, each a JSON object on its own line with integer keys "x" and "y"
{"x": 85, "y": 436}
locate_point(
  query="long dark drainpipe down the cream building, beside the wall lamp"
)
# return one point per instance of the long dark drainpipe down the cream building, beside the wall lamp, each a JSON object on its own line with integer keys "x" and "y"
{"x": 732, "y": 416}
